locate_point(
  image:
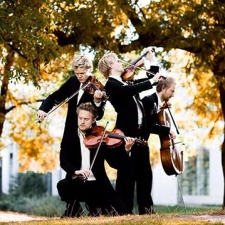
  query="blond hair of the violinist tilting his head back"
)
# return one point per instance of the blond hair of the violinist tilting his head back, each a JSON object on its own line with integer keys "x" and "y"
{"x": 104, "y": 64}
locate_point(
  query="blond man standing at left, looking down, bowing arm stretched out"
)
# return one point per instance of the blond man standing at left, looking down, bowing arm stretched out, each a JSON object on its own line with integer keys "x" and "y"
{"x": 82, "y": 67}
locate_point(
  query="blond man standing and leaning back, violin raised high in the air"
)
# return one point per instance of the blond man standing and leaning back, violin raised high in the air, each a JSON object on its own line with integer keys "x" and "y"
{"x": 125, "y": 99}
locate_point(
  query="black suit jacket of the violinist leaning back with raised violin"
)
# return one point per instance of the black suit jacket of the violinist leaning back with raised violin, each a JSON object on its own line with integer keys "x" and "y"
{"x": 121, "y": 98}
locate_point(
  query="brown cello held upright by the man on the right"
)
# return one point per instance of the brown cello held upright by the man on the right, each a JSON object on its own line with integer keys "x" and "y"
{"x": 171, "y": 155}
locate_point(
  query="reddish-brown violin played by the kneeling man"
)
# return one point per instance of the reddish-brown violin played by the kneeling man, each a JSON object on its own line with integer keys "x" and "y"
{"x": 112, "y": 139}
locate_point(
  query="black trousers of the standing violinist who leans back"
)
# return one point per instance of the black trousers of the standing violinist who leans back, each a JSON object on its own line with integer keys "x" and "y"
{"x": 137, "y": 170}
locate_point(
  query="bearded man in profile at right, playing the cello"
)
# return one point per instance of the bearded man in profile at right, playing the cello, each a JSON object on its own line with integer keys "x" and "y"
{"x": 165, "y": 90}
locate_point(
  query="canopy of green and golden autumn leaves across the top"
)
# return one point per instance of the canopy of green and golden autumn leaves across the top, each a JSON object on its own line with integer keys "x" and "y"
{"x": 37, "y": 30}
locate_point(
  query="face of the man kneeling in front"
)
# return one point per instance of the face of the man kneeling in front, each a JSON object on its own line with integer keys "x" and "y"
{"x": 85, "y": 120}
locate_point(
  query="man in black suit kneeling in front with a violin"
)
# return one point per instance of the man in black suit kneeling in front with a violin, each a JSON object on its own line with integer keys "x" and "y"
{"x": 86, "y": 183}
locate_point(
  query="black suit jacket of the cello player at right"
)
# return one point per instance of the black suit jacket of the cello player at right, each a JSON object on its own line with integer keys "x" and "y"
{"x": 150, "y": 104}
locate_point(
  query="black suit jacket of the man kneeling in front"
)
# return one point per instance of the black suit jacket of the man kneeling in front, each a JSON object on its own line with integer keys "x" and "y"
{"x": 70, "y": 158}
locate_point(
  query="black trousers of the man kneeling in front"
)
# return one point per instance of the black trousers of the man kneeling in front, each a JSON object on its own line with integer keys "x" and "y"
{"x": 93, "y": 194}
